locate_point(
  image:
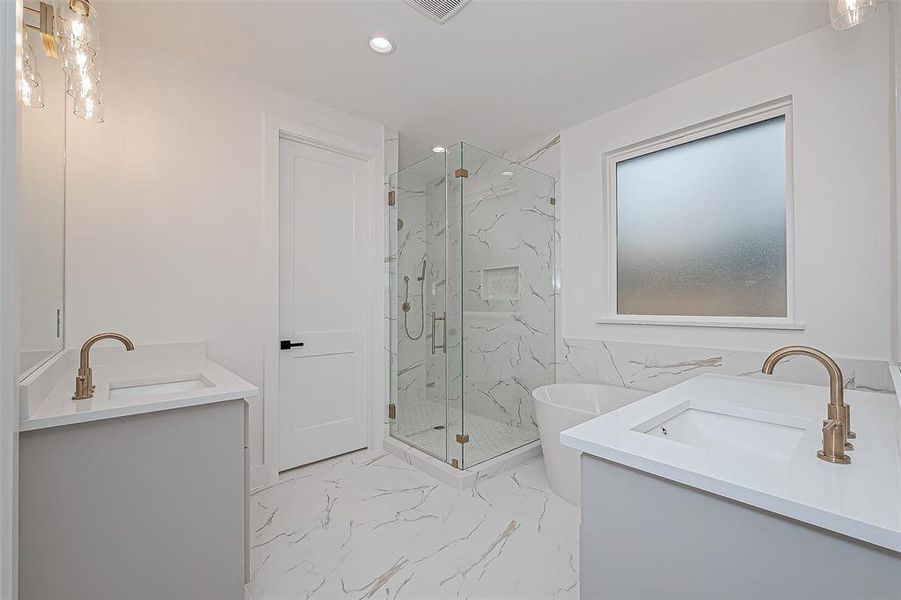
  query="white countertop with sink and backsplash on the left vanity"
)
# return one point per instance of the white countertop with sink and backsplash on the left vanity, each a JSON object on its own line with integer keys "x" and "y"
{"x": 181, "y": 375}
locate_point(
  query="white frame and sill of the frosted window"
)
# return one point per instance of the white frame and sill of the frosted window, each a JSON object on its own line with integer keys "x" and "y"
{"x": 781, "y": 107}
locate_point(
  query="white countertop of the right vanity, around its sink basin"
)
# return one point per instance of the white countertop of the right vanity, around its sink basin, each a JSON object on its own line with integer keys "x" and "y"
{"x": 861, "y": 500}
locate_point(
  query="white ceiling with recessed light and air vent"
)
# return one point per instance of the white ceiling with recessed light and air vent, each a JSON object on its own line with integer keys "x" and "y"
{"x": 500, "y": 73}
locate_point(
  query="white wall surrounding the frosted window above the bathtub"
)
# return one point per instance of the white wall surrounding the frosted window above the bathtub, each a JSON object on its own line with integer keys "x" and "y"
{"x": 840, "y": 84}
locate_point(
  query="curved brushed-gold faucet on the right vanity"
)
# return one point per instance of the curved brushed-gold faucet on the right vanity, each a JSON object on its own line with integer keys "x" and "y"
{"x": 837, "y": 428}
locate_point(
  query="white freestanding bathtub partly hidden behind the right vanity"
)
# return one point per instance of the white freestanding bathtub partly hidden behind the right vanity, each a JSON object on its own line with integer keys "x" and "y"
{"x": 564, "y": 405}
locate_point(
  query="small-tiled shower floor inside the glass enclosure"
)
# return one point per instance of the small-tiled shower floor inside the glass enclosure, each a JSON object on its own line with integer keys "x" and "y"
{"x": 488, "y": 438}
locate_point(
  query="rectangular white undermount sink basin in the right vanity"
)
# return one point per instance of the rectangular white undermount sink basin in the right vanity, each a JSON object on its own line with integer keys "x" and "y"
{"x": 754, "y": 433}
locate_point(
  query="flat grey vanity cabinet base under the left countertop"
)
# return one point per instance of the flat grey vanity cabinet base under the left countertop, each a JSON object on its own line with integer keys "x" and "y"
{"x": 149, "y": 505}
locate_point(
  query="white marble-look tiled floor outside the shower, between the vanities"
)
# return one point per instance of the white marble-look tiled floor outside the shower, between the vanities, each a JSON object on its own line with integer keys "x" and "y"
{"x": 368, "y": 525}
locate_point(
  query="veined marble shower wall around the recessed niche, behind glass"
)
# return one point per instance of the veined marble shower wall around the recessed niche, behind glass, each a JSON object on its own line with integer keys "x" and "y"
{"x": 509, "y": 222}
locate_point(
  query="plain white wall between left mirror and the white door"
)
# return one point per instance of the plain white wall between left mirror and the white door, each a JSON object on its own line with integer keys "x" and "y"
{"x": 165, "y": 206}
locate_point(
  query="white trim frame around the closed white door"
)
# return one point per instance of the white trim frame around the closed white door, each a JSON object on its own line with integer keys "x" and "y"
{"x": 276, "y": 128}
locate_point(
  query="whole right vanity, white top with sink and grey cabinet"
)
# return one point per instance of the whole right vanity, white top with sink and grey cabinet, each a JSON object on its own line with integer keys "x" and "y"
{"x": 712, "y": 489}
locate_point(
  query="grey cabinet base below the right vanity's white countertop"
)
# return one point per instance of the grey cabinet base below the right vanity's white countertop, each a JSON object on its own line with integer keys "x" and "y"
{"x": 647, "y": 537}
